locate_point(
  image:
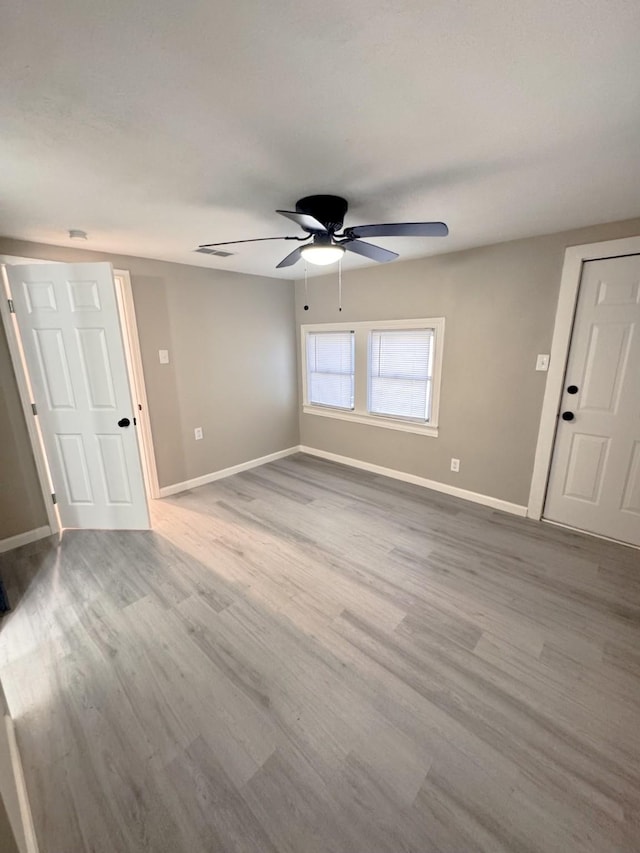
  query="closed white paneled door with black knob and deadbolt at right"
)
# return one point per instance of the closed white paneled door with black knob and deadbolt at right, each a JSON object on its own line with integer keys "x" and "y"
{"x": 594, "y": 483}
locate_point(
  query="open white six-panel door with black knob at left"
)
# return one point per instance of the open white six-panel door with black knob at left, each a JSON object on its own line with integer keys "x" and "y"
{"x": 70, "y": 329}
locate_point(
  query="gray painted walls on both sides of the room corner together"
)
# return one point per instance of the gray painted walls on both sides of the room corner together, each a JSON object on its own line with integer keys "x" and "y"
{"x": 499, "y": 302}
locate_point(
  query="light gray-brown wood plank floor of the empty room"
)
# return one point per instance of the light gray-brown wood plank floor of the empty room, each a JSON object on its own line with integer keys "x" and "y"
{"x": 312, "y": 659}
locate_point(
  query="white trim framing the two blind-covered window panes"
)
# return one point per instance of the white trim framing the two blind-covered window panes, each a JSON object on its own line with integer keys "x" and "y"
{"x": 359, "y": 414}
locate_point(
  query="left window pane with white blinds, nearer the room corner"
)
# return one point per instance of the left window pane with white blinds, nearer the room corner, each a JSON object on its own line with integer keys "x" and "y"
{"x": 331, "y": 369}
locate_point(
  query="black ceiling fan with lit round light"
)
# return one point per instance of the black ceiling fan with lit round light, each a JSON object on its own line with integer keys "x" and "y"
{"x": 322, "y": 217}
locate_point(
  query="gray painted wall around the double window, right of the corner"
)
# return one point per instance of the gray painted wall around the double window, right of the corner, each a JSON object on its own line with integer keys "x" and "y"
{"x": 499, "y": 303}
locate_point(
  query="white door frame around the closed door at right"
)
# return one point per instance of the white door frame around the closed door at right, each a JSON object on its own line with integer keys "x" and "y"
{"x": 574, "y": 258}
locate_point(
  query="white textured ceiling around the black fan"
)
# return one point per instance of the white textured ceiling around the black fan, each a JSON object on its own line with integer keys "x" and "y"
{"x": 157, "y": 125}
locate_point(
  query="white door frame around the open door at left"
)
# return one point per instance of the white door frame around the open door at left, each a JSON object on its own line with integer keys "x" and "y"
{"x": 133, "y": 360}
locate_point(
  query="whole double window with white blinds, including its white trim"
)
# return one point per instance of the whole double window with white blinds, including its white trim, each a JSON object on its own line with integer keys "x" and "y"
{"x": 382, "y": 373}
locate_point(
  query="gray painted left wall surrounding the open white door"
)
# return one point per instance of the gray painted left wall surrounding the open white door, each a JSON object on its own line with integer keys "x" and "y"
{"x": 232, "y": 369}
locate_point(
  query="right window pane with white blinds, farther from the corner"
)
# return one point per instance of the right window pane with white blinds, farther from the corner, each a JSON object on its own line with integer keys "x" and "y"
{"x": 400, "y": 372}
